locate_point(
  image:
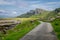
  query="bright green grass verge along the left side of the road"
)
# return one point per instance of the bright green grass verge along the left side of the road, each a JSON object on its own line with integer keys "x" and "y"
{"x": 20, "y": 30}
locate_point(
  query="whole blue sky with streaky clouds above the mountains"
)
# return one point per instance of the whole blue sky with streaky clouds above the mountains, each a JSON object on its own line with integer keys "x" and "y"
{"x": 14, "y": 8}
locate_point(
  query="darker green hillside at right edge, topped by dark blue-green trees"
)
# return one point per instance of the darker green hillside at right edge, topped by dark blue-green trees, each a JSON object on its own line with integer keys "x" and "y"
{"x": 53, "y": 14}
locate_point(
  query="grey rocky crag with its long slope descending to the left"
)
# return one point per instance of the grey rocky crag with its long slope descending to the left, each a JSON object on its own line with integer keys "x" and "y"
{"x": 31, "y": 13}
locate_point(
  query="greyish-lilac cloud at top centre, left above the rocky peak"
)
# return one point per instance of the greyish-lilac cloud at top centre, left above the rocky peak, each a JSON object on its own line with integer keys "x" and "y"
{"x": 24, "y": 4}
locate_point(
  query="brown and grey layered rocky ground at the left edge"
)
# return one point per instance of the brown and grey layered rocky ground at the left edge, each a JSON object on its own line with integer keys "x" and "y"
{"x": 7, "y": 24}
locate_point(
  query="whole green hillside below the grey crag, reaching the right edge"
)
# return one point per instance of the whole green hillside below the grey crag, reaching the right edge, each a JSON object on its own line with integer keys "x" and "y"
{"x": 48, "y": 15}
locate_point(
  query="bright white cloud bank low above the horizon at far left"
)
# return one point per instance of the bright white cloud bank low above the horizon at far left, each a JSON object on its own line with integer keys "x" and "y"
{"x": 8, "y": 13}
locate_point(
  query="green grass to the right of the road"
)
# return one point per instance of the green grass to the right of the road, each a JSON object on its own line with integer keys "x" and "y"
{"x": 56, "y": 26}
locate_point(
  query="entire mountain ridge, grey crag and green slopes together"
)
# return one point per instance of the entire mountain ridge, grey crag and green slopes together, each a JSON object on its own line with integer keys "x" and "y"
{"x": 42, "y": 14}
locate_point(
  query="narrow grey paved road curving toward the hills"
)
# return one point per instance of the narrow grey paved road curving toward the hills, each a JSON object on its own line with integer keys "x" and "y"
{"x": 44, "y": 31}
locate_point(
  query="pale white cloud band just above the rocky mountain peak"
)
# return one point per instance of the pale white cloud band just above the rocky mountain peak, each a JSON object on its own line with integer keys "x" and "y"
{"x": 41, "y": 6}
